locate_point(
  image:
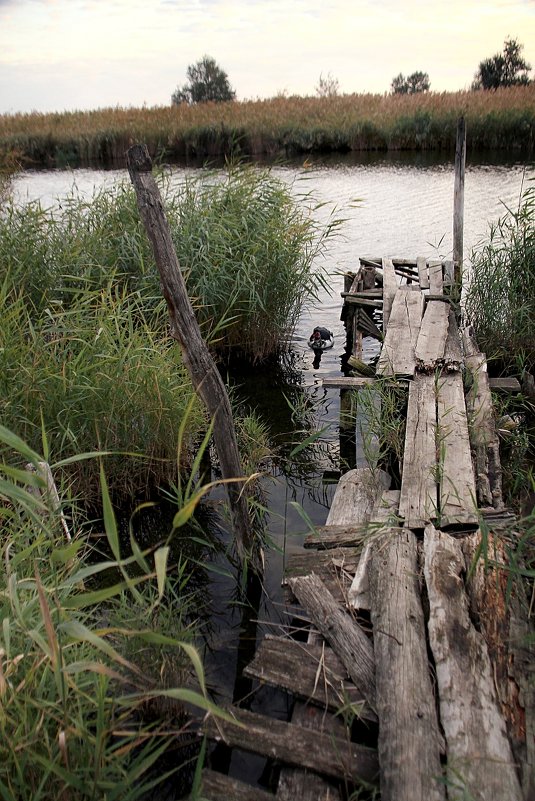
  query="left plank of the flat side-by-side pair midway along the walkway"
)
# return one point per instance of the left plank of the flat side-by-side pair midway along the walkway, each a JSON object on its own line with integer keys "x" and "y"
{"x": 418, "y": 502}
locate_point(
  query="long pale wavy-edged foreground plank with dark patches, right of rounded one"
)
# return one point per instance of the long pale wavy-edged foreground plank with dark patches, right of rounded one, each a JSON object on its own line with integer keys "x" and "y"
{"x": 480, "y": 763}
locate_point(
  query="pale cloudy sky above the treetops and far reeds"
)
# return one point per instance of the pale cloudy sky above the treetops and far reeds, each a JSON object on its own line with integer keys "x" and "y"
{"x": 62, "y": 55}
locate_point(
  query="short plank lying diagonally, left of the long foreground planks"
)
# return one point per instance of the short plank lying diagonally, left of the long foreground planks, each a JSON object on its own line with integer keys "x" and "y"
{"x": 339, "y": 629}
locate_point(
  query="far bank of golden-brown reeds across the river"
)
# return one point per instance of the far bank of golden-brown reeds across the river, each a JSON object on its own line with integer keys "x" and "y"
{"x": 503, "y": 119}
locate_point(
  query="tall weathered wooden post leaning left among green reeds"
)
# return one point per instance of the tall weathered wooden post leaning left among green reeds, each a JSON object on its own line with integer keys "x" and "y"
{"x": 184, "y": 327}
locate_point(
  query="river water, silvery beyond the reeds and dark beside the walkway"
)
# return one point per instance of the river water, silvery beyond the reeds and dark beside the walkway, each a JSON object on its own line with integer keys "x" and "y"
{"x": 393, "y": 205}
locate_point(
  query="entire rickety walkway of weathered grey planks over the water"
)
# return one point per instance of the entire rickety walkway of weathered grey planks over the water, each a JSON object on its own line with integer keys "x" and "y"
{"x": 398, "y": 686}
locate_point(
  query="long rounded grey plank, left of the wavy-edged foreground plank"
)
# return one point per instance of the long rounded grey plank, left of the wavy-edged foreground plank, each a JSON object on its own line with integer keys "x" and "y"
{"x": 409, "y": 738}
